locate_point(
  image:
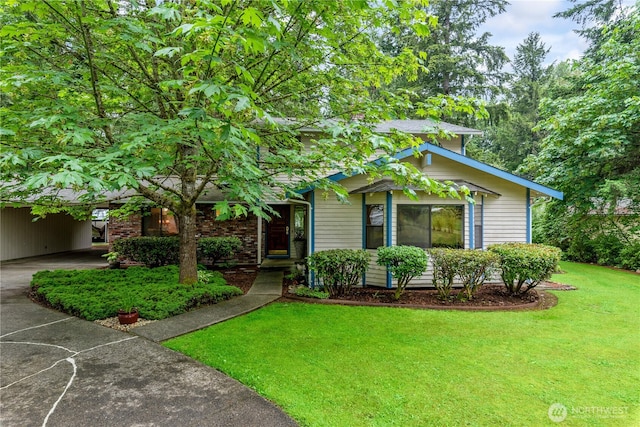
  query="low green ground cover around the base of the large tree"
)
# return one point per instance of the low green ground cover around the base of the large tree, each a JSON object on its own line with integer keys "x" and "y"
{"x": 98, "y": 294}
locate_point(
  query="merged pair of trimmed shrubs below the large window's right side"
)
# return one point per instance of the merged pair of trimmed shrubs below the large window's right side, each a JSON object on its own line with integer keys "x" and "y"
{"x": 472, "y": 266}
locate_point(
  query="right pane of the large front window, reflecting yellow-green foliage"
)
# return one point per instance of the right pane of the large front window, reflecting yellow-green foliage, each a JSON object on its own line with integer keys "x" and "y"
{"x": 446, "y": 226}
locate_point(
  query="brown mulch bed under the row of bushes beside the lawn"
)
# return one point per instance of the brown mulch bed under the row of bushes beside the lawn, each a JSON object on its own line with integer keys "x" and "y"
{"x": 488, "y": 297}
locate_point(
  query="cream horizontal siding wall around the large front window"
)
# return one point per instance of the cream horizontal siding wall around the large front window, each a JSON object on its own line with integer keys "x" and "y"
{"x": 341, "y": 226}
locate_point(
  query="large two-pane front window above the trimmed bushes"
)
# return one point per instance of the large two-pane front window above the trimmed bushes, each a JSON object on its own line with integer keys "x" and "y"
{"x": 431, "y": 226}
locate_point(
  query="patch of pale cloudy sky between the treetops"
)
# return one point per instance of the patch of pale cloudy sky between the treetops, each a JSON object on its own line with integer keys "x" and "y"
{"x": 522, "y": 17}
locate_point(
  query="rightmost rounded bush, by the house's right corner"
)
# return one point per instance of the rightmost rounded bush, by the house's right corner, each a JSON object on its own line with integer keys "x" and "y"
{"x": 522, "y": 263}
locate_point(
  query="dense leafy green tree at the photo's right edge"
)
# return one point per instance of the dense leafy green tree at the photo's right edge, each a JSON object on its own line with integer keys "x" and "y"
{"x": 592, "y": 148}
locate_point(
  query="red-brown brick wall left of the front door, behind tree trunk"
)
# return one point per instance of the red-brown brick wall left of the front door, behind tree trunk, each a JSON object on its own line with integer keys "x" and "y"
{"x": 245, "y": 228}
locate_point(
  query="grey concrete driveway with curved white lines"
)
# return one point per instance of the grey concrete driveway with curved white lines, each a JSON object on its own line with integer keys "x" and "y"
{"x": 58, "y": 370}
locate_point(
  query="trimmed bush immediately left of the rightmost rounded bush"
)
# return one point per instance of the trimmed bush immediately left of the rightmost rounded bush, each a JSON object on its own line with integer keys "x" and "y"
{"x": 474, "y": 267}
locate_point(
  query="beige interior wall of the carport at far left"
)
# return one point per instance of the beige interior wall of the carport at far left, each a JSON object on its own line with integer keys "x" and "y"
{"x": 21, "y": 237}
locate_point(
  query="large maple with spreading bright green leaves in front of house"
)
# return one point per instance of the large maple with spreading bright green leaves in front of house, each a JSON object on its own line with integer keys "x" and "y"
{"x": 170, "y": 99}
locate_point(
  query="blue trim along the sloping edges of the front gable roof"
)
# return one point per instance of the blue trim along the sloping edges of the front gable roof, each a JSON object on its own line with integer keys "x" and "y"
{"x": 475, "y": 164}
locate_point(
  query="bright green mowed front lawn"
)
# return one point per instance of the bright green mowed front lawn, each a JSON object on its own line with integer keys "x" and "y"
{"x": 362, "y": 366}
